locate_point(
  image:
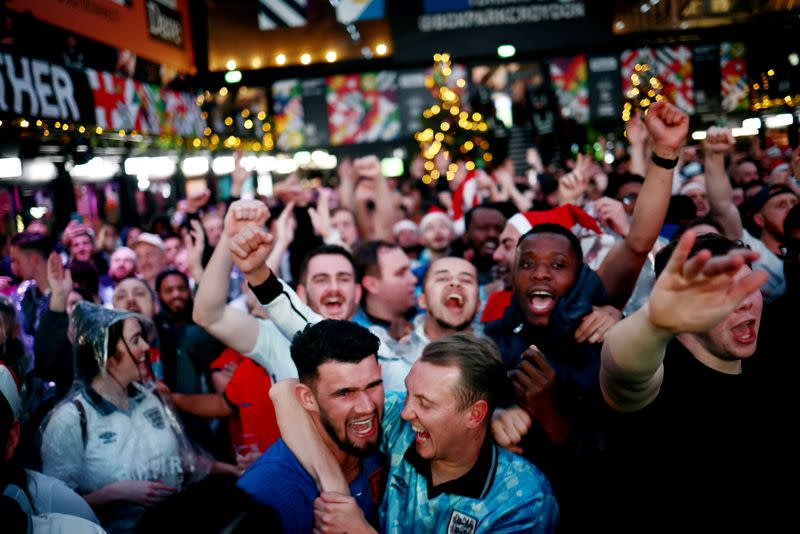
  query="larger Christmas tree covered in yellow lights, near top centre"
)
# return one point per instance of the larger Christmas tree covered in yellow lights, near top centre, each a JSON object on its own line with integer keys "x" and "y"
{"x": 448, "y": 127}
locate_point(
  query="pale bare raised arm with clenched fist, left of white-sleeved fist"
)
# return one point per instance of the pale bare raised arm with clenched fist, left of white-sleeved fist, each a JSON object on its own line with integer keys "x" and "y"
{"x": 236, "y": 329}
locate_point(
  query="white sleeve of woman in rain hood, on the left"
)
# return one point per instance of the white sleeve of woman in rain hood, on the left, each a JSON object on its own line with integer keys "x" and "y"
{"x": 62, "y": 445}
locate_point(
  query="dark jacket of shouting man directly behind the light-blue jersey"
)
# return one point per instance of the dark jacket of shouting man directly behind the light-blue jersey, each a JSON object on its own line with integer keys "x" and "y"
{"x": 574, "y": 467}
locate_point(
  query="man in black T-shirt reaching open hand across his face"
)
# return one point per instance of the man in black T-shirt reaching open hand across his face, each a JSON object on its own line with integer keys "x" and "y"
{"x": 700, "y": 420}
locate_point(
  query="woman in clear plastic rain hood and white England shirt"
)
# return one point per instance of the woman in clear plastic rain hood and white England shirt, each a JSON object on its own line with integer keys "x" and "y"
{"x": 114, "y": 440}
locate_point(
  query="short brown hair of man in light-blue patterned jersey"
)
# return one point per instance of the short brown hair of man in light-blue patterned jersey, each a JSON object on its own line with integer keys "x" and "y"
{"x": 483, "y": 376}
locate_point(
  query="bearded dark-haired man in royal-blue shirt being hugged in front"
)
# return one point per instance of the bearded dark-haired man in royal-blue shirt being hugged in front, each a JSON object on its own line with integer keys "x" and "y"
{"x": 341, "y": 390}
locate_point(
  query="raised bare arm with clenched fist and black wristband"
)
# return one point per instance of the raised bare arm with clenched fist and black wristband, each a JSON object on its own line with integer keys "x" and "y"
{"x": 620, "y": 268}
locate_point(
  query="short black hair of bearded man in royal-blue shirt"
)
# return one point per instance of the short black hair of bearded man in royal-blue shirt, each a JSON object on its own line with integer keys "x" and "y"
{"x": 331, "y": 340}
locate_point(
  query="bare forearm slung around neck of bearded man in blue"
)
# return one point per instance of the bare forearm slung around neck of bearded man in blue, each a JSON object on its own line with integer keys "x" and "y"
{"x": 299, "y": 434}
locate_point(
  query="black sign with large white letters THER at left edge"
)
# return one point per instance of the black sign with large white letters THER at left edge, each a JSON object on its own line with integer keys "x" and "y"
{"x": 35, "y": 88}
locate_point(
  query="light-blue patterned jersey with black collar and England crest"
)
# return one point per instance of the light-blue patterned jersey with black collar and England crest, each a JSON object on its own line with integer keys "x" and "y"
{"x": 502, "y": 493}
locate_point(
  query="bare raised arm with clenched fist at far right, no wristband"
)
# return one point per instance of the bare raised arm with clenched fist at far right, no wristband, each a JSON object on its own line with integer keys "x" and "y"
{"x": 719, "y": 142}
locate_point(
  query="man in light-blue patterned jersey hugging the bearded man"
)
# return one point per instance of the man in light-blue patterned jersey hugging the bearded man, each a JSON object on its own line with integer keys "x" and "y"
{"x": 446, "y": 472}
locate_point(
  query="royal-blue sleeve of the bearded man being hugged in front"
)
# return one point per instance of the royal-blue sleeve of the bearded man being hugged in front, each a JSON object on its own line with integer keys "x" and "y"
{"x": 270, "y": 483}
